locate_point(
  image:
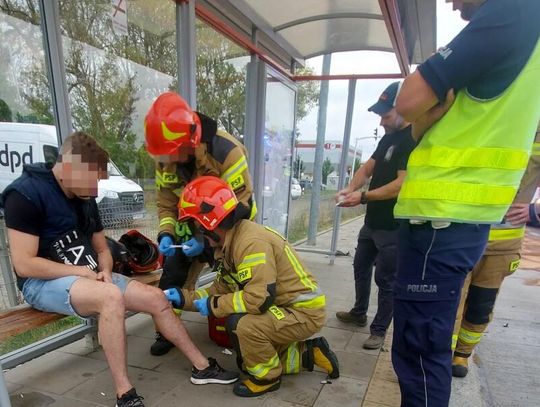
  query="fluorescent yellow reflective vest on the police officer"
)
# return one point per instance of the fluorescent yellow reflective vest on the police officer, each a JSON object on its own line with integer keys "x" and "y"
{"x": 468, "y": 166}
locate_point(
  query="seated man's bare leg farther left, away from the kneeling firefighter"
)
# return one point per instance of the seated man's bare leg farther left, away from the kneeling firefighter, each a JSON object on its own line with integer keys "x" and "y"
{"x": 90, "y": 297}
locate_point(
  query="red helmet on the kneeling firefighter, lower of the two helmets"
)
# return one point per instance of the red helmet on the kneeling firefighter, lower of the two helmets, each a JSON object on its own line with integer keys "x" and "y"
{"x": 208, "y": 200}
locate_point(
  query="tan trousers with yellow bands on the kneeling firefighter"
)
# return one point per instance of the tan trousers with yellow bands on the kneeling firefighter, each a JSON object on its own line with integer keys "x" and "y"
{"x": 272, "y": 343}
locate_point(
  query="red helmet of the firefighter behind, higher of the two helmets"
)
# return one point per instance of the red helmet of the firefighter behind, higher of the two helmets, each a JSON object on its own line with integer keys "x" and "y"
{"x": 171, "y": 124}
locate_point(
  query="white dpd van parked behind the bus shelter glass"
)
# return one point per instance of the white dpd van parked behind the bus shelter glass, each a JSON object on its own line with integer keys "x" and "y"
{"x": 120, "y": 200}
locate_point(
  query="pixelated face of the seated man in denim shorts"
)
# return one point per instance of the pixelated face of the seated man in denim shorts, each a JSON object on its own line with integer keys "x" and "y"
{"x": 80, "y": 177}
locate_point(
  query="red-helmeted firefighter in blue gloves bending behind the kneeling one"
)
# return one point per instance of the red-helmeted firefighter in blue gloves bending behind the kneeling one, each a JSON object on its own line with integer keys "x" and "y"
{"x": 187, "y": 144}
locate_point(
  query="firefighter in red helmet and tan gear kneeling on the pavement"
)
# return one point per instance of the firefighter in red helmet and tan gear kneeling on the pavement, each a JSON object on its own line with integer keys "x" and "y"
{"x": 271, "y": 302}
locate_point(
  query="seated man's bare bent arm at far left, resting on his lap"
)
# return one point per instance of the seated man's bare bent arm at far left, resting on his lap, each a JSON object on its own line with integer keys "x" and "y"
{"x": 24, "y": 248}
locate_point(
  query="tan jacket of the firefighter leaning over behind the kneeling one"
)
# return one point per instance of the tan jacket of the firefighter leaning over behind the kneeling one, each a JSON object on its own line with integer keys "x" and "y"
{"x": 220, "y": 155}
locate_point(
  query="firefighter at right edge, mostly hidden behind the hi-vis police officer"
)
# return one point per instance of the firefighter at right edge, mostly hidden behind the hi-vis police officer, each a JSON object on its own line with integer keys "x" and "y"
{"x": 500, "y": 260}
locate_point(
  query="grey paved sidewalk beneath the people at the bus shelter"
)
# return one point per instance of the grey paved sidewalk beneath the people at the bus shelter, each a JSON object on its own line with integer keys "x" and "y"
{"x": 505, "y": 372}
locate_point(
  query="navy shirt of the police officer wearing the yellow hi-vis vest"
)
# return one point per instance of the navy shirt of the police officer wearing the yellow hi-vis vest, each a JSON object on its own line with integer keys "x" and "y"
{"x": 489, "y": 53}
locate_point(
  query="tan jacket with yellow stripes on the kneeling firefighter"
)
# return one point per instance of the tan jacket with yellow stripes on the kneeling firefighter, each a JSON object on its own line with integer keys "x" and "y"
{"x": 259, "y": 271}
